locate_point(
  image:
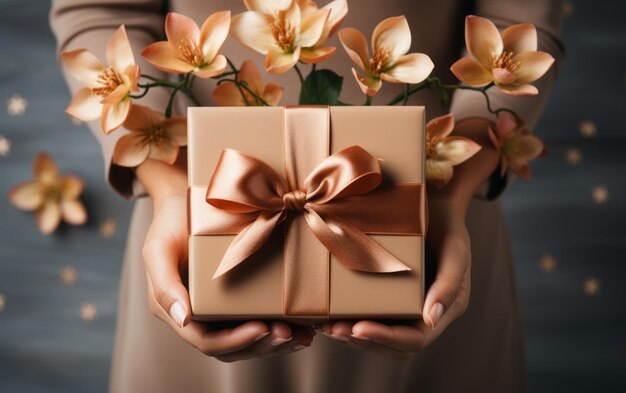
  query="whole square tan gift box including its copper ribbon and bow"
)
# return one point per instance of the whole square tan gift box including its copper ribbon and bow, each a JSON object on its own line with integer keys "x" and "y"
{"x": 306, "y": 214}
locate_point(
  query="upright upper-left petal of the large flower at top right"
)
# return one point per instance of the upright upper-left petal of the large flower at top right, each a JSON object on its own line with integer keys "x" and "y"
{"x": 482, "y": 39}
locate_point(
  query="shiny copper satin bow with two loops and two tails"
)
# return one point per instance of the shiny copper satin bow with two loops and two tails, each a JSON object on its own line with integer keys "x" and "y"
{"x": 245, "y": 185}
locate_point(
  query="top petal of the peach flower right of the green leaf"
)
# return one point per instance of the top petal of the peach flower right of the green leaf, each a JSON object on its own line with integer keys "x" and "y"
{"x": 394, "y": 35}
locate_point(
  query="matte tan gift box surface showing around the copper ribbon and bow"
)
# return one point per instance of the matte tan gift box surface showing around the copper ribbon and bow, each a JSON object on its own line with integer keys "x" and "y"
{"x": 254, "y": 289}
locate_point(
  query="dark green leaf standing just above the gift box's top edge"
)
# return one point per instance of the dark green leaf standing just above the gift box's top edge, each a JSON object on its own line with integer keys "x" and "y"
{"x": 321, "y": 87}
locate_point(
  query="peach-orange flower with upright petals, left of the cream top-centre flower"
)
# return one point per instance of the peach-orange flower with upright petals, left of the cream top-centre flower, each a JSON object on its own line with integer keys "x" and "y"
{"x": 189, "y": 48}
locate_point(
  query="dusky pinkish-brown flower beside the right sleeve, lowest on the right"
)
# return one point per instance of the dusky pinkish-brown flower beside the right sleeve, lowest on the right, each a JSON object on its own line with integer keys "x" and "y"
{"x": 517, "y": 144}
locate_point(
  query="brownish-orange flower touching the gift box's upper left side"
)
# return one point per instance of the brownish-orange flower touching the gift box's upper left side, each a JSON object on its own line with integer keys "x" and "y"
{"x": 151, "y": 136}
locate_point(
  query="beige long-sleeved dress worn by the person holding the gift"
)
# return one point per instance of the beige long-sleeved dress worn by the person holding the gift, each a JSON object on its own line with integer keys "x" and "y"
{"x": 480, "y": 352}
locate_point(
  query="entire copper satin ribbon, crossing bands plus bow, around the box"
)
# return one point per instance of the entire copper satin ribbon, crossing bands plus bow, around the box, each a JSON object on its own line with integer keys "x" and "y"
{"x": 330, "y": 210}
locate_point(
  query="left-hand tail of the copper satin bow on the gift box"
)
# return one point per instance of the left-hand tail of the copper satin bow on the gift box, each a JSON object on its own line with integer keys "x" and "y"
{"x": 248, "y": 241}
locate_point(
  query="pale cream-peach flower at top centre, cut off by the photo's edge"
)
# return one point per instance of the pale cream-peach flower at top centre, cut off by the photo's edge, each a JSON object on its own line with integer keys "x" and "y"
{"x": 279, "y": 30}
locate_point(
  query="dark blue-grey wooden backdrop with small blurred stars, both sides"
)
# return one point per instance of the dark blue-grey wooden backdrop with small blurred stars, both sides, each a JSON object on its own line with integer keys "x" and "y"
{"x": 58, "y": 294}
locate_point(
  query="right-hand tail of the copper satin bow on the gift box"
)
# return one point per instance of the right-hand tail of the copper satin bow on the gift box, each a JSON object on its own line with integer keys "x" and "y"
{"x": 349, "y": 244}
